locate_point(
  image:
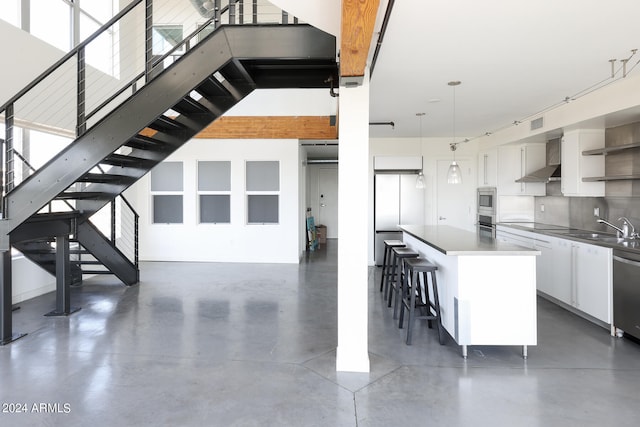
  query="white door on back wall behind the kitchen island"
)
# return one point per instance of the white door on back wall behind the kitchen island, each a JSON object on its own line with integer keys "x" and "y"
{"x": 456, "y": 202}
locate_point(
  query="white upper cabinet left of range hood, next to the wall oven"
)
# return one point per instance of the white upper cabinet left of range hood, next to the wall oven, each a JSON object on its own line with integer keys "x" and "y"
{"x": 516, "y": 161}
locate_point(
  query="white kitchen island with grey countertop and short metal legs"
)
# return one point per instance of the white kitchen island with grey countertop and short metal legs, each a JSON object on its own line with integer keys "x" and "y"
{"x": 487, "y": 288}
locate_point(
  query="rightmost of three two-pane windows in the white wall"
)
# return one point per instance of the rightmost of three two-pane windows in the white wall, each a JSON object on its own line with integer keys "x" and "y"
{"x": 263, "y": 187}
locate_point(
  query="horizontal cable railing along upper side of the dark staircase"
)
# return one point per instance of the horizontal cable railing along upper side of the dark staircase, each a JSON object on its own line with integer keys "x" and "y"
{"x": 106, "y": 69}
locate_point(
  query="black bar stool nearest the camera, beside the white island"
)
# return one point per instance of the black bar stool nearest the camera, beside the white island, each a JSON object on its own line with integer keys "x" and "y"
{"x": 413, "y": 298}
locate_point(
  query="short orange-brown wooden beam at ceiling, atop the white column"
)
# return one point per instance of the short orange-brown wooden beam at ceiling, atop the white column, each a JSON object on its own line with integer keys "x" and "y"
{"x": 358, "y": 20}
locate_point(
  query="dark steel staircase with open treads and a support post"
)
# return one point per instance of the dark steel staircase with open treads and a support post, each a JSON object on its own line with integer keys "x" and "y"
{"x": 106, "y": 158}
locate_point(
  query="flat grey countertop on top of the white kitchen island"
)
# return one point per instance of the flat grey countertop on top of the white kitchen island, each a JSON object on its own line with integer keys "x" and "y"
{"x": 456, "y": 241}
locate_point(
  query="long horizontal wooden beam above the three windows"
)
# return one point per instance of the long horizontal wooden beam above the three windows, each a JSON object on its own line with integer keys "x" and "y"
{"x": 271, "y": 127}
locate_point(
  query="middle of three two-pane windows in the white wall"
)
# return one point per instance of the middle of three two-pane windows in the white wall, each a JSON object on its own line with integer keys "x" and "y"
{"x": 214, "y": 192}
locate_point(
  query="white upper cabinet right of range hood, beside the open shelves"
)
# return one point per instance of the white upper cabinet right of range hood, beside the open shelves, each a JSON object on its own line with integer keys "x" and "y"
{"x": 575, "y": 166}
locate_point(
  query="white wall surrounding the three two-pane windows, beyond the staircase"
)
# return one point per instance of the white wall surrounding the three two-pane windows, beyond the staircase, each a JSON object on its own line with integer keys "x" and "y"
{"x": 235, "y": 242}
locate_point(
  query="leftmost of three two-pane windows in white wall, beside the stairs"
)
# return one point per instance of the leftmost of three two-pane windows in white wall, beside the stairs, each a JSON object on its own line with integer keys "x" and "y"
{"x": 166, "y": 192}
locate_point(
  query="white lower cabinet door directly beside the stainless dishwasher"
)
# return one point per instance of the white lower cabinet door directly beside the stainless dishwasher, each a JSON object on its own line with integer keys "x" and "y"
{"x": 593, "y": 280}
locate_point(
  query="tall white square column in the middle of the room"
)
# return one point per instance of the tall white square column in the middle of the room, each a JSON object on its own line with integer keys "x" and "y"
{"x": 353, "y": 153}
